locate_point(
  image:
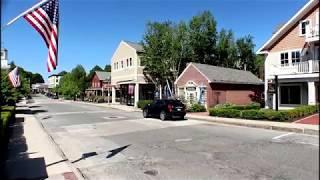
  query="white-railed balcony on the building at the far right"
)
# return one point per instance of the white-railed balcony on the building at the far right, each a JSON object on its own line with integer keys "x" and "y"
{"x": 305, "y": 67}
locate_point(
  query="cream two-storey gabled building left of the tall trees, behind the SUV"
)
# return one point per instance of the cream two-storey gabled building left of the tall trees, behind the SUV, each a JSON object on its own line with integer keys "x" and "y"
{"x": 129, "y": 84}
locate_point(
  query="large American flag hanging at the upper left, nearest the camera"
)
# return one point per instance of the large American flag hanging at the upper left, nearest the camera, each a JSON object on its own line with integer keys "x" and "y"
{"x": 45, "y": 19}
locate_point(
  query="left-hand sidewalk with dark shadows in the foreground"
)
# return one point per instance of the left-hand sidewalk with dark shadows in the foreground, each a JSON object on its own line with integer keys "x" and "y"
{"x": 32, "y": 152}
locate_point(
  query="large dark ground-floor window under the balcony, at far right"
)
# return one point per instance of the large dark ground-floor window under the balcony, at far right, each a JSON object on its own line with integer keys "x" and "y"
{"x": 290, "y": 94}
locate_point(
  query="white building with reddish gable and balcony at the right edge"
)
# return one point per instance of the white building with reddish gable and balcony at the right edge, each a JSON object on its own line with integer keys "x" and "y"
{"x": 292, "y": 53}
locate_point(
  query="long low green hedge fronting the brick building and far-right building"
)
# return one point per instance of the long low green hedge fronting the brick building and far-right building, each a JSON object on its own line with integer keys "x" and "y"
{"x": 265, "y": 114}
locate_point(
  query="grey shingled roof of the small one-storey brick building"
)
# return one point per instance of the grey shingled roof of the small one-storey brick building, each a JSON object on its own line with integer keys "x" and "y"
{"x": 216, "y": 74}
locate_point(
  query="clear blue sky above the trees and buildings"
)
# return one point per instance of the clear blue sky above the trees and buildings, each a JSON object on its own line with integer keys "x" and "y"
{"x": 90, "y": 30}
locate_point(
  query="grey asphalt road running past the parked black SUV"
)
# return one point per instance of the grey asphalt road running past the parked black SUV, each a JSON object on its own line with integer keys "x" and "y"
{"x": 106, "y": 143}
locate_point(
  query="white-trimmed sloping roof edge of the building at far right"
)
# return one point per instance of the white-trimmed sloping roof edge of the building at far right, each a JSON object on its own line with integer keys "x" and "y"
{"x": 286, "y": 27}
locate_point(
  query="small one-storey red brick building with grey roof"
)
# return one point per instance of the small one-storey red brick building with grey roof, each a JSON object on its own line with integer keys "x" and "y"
{"x": 212, "y": 85}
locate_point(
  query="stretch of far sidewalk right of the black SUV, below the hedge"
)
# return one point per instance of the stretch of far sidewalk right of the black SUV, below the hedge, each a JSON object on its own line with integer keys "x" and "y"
{"x": 281, "y": 126}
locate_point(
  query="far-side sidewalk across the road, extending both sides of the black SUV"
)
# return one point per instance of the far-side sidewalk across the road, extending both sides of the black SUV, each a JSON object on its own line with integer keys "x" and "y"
{"x": 204, "y": 116}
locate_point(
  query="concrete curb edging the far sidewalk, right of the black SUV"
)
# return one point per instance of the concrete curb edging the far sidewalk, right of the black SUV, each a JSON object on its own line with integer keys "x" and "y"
{"x": 259, "y": 124}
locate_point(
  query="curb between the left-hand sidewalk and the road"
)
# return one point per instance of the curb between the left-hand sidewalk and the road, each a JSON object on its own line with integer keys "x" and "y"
{"x": 75, "y": 170}
